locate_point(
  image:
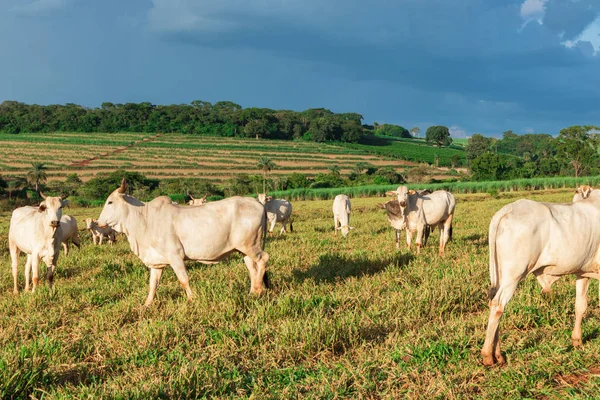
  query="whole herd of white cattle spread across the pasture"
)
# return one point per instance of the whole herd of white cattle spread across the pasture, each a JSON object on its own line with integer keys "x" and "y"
{"x": 526, "y": 237}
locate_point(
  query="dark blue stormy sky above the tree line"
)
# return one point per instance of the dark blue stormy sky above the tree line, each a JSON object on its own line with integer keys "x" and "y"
{"x": 476, "y": 66}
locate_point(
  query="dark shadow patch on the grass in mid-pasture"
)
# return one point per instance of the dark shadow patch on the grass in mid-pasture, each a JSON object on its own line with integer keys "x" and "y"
{"x": 336, "y": 267}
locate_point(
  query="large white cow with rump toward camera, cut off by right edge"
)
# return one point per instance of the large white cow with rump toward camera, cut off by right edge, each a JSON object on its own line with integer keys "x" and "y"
{"x": 549, "y": 241}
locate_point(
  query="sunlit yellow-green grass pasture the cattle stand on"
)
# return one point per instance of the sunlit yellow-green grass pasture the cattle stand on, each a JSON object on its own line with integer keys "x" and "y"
{"x": 352, "y": 318}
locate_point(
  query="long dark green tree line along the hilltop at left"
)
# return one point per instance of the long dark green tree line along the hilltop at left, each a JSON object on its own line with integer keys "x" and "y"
{"x": 224, "y": 118}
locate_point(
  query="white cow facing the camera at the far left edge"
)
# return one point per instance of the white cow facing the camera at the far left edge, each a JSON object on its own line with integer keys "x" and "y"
{"x": 36, "y": 231}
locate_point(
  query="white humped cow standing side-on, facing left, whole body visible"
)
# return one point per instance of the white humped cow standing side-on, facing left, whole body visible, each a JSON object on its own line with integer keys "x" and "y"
{"x": 162, "y": 234}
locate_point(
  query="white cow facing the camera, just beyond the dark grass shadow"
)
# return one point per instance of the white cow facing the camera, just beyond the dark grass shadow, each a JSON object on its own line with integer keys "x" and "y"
{"x": 426, "y": 209}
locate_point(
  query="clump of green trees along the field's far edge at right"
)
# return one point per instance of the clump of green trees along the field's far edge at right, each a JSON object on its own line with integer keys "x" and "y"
{"x": 574, "y": 152}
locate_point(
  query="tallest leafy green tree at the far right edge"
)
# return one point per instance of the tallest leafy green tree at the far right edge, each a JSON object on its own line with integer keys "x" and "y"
{"x": 579, "y": 147}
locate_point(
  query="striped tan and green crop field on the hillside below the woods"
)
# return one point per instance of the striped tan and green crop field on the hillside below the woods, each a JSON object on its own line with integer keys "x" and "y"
{"x": 175, "y": 155}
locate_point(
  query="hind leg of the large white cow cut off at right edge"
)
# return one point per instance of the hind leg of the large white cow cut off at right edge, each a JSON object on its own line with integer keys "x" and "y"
{"x": 491, "y": 346}
